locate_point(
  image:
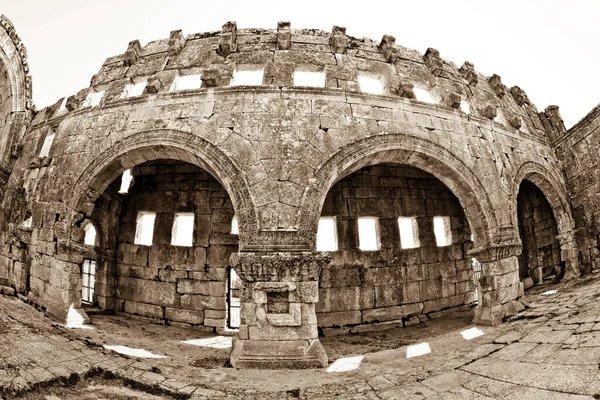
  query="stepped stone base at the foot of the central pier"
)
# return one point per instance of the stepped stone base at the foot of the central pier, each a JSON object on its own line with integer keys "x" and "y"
{"x": 278, "y": 354}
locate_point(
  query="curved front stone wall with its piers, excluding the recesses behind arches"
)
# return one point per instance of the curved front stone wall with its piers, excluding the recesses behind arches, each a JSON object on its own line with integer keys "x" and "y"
{"x": 277, "y": 149}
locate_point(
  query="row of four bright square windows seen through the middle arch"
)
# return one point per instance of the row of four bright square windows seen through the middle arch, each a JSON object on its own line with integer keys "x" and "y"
{"x": 368, "y": 233}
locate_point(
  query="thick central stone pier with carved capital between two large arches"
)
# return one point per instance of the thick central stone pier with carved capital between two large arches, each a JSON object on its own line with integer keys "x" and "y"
{"x": 278, "y": 326}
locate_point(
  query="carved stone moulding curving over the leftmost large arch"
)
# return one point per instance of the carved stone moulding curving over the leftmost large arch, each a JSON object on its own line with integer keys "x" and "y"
{"x": 169, "y": 144}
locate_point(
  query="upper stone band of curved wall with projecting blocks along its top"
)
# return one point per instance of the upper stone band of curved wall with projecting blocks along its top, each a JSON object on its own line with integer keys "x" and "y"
{"x": 280, "y": 52}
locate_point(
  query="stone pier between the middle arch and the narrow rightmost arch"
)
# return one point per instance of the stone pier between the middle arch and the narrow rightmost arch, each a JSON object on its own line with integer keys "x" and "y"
{"x": 499, "y": 286}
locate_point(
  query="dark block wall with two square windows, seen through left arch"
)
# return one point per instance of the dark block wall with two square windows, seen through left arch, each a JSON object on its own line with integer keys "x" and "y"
{"x": 175, "y": 283}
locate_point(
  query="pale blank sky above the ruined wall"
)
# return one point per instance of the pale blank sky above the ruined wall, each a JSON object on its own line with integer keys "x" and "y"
{"x": 547, "y": 47}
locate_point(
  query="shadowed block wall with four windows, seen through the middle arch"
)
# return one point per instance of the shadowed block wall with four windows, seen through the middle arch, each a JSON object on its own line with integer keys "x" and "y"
{"x": 361, "y": 287}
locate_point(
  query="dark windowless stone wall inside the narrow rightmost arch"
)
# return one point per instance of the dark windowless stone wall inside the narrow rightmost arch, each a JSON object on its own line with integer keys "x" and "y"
{"x": 537, "y": 226}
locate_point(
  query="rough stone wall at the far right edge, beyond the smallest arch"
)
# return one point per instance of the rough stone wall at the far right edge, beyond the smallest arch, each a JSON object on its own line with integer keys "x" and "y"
{"x": 579, "y": 151}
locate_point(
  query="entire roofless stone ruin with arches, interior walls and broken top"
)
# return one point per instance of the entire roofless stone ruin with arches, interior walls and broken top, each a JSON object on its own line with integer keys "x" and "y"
{"x": 280, "y": 183}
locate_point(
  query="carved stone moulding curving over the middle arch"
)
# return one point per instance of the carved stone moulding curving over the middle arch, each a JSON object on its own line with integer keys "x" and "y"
{"x": 415, "y": 152}
